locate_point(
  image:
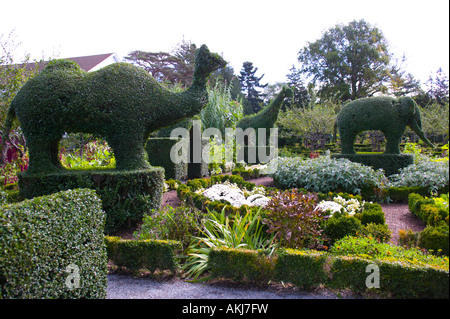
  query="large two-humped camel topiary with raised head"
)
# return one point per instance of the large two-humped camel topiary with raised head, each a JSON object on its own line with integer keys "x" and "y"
{"x": 121, "y": 103}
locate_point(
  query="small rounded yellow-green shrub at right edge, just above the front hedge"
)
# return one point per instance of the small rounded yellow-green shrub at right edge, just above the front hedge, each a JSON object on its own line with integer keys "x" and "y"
{"x": 435, "y": 239}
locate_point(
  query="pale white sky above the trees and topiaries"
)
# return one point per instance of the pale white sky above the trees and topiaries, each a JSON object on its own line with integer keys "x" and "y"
{"x": 267, "y": 33}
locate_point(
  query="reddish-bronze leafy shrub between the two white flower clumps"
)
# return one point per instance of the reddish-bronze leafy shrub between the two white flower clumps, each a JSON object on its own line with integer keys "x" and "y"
{"x": 294, "y": 219}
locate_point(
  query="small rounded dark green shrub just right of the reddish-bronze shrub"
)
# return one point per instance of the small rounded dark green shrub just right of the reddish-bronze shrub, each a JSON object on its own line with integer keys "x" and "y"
{"x": 342, "y": 226}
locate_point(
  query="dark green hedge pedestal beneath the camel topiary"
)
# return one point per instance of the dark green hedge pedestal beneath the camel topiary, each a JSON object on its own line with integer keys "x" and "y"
{"x": 126, "y": 195}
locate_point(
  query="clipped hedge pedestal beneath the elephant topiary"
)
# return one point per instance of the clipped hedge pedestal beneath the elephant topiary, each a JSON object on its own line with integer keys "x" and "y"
{"x": 390, "y": 163}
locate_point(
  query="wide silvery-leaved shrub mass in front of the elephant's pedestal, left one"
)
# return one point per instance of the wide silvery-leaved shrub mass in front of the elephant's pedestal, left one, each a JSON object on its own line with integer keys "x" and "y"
{"x": 324, "y": 174}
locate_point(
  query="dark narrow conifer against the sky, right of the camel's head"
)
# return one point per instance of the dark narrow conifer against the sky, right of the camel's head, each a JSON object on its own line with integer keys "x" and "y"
{"x": 250, "y": 84}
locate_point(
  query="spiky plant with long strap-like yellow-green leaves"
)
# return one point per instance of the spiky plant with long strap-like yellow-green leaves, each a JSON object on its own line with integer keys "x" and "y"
{"x": 219, "y": 230}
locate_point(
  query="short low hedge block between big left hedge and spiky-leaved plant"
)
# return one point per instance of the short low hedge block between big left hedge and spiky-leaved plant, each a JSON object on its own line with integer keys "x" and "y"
{"x": 136, "y": 254}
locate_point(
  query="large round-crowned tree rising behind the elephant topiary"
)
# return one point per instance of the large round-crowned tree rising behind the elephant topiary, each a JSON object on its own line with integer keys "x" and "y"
{"x": 351, "y": 61}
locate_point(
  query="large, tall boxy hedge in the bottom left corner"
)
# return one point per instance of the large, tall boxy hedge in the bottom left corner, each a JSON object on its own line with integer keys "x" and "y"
{"x": 47, "y": 241}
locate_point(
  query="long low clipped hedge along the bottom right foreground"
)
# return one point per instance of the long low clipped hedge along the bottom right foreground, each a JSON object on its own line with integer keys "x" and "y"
{"x": 309, "y": 269}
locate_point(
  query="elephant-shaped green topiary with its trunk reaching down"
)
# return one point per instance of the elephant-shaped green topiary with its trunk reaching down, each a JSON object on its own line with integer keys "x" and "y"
{"x": 386, "y": 114}
